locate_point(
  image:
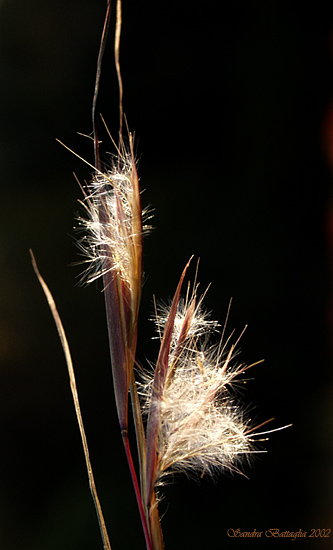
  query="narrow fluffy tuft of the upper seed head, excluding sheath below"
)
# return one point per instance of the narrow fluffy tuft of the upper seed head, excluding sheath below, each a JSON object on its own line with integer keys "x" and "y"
{"x": 113, "y": 226}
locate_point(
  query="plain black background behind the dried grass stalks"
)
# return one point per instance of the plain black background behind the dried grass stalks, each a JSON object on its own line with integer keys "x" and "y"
{"x": 230, "y": 103}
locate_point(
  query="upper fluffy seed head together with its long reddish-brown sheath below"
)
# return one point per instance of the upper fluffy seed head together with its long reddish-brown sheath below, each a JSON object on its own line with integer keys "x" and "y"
{"x": 112, "y": 245}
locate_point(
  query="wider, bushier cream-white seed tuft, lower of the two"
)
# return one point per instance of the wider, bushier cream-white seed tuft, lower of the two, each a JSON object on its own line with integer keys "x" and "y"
{"x": 201, "y": 426}
